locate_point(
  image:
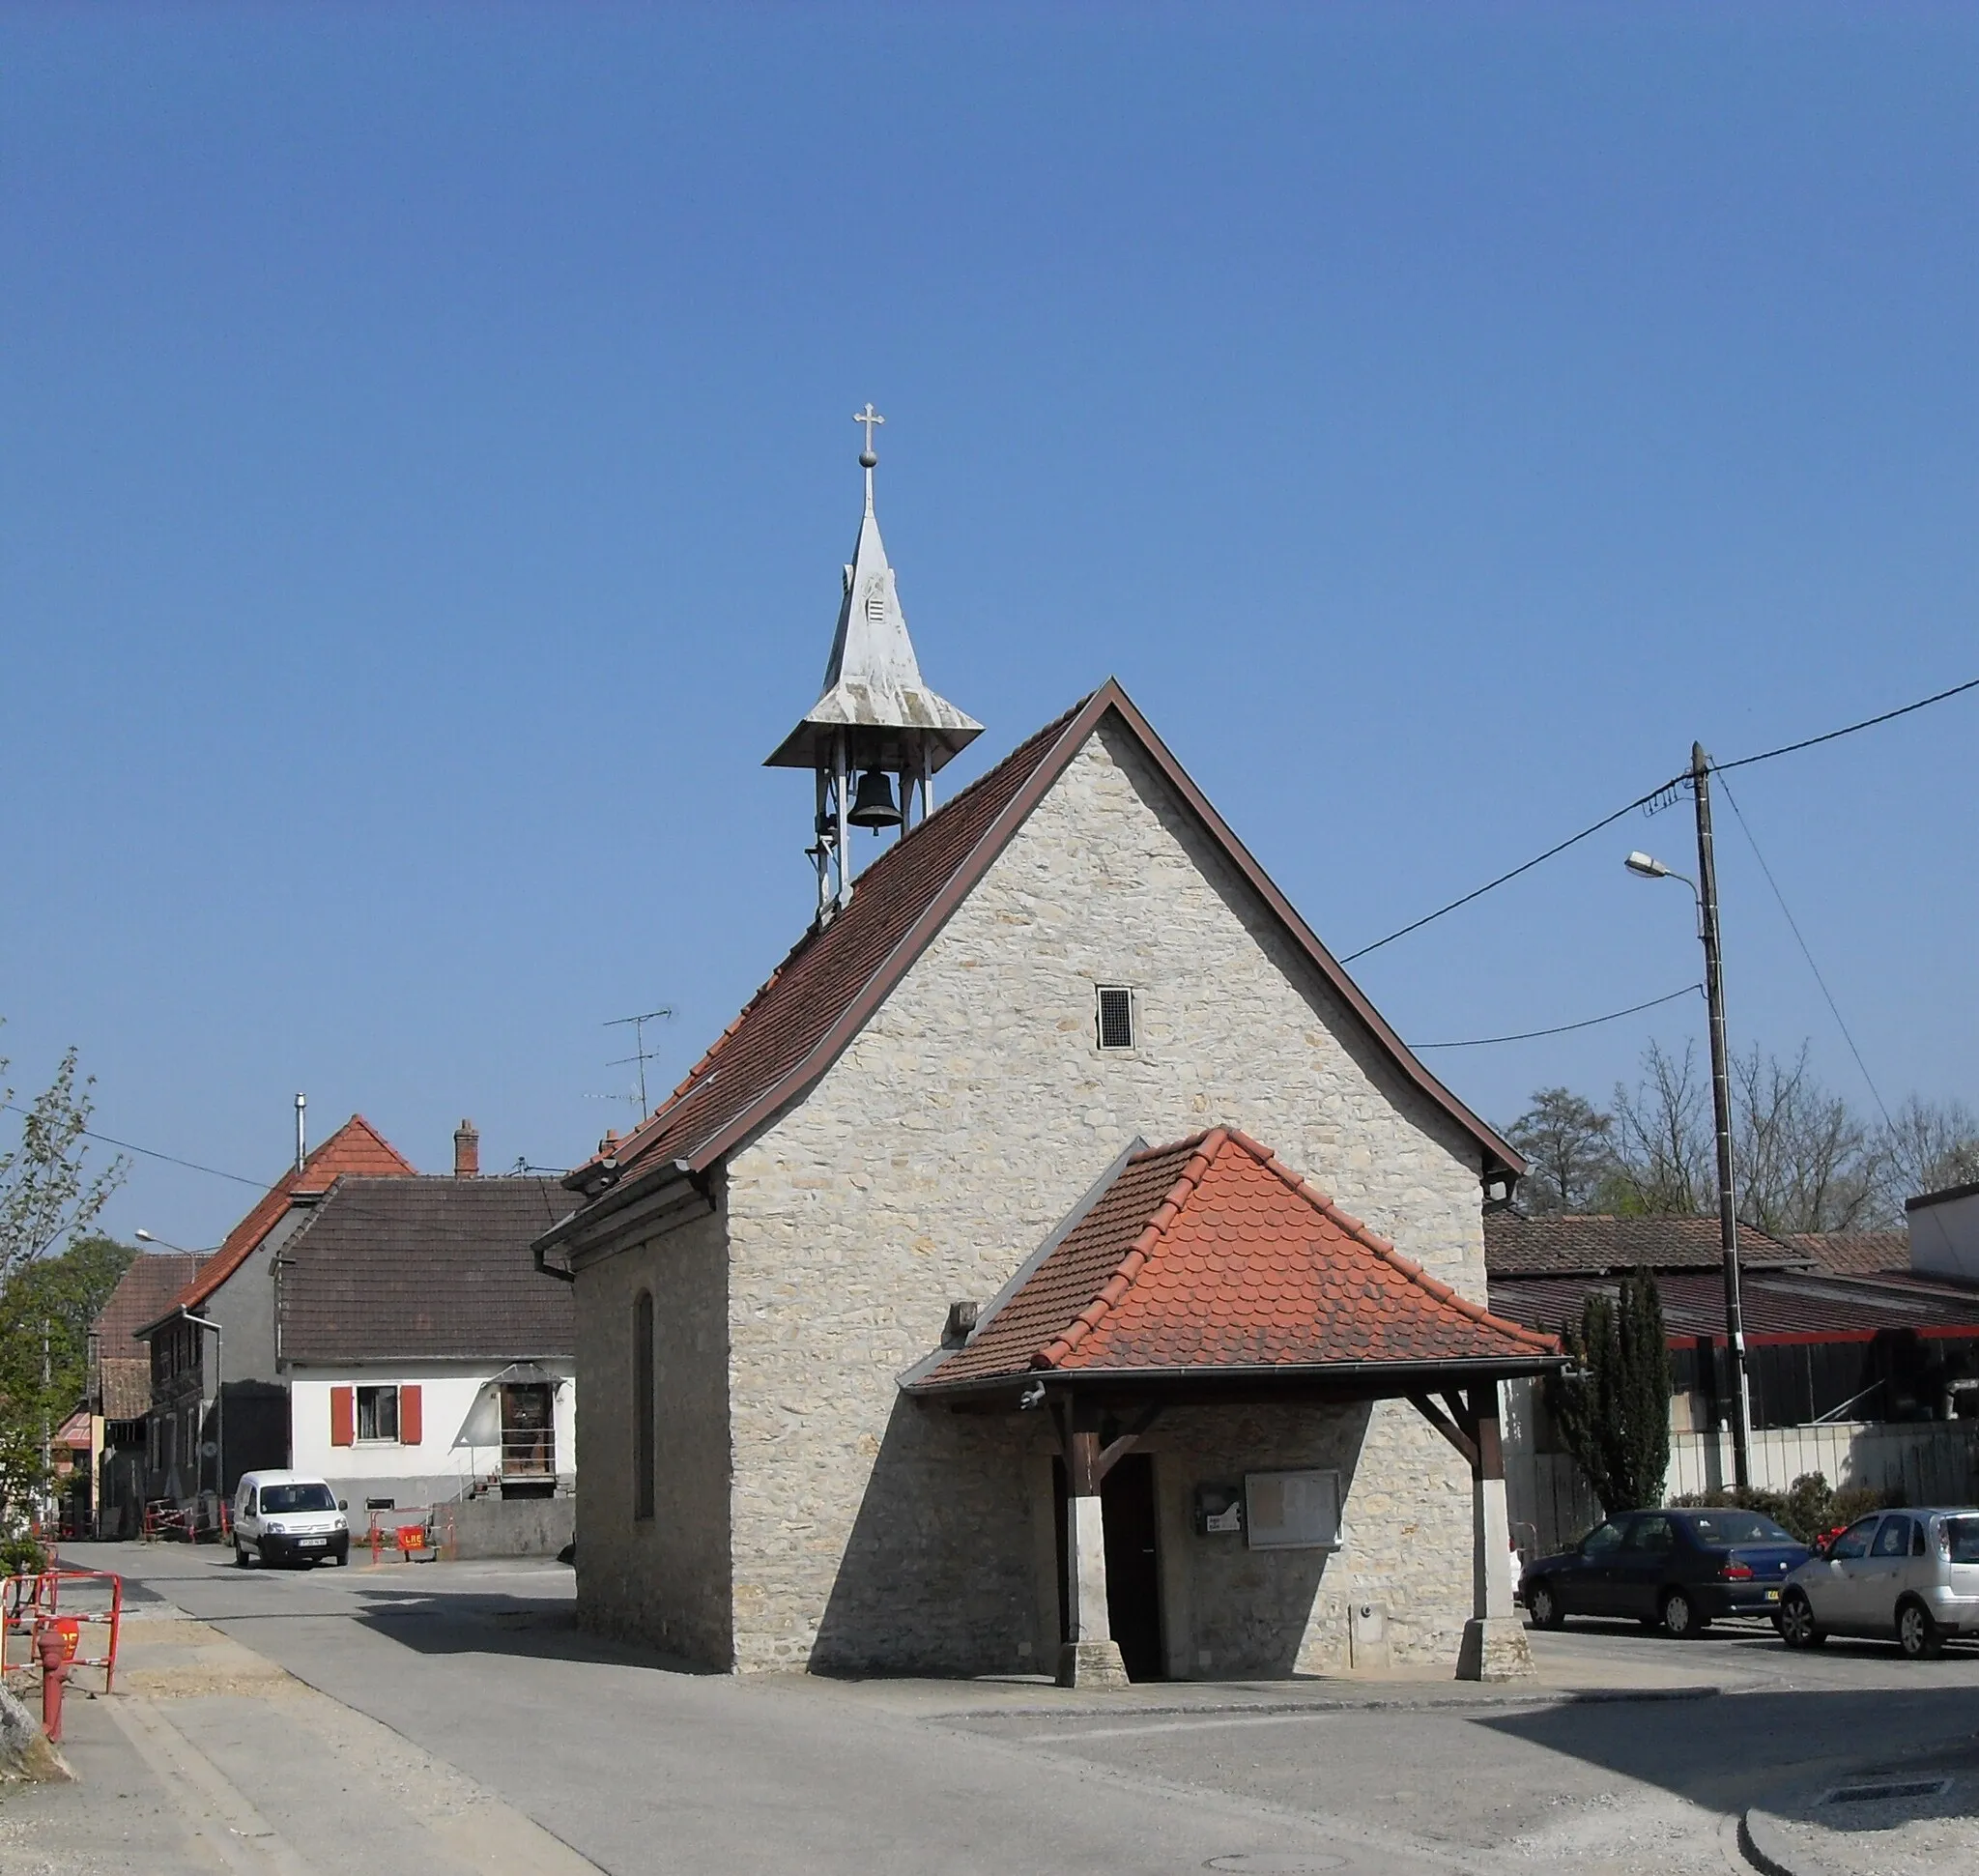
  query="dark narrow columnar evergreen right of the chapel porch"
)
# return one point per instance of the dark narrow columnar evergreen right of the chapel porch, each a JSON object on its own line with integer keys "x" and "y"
{"x": 1614, "y": 1402}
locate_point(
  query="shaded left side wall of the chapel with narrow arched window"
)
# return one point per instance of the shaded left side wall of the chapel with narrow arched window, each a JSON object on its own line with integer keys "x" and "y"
{"x": 664, "y": 1580}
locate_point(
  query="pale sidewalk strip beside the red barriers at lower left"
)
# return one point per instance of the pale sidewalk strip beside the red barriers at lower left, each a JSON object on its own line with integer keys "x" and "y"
{"x": 211, "y": 1758}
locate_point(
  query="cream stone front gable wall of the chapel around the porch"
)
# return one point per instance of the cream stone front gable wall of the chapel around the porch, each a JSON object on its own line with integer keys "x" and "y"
{"x": 937, "y": 1153}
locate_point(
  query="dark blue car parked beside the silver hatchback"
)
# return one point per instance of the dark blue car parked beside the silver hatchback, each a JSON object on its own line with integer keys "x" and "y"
{"x": 1671, "y": 1570}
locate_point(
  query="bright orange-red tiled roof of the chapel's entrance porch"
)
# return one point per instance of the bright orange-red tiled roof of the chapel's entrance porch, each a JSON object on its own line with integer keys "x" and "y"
{"x": 1214, "y": 1256}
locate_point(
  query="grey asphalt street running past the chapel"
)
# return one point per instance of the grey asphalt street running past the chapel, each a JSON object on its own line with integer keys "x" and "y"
{"x": 506, "y": 1711}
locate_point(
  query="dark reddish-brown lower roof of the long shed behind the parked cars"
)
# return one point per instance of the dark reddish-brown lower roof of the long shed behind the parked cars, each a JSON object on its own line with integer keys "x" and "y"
{"x": 1774, "y": 1305}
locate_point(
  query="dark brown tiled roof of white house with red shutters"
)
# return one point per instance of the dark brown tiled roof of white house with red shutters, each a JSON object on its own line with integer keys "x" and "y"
{"x": 426, "y": 1267}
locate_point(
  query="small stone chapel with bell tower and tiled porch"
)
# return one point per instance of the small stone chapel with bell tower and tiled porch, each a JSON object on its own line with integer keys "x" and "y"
{"x": 1058, "y": 1266}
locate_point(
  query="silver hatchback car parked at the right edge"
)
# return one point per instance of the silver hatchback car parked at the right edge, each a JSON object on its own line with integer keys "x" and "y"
{"x": 1913, "y": 1576}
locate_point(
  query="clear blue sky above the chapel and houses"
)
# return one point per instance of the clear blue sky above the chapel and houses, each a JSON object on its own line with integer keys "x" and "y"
{"x": 424, "y": 472}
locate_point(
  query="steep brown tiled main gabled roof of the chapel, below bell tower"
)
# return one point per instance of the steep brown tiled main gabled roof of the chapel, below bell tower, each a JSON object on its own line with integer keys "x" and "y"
{"x": 826, "y": 990}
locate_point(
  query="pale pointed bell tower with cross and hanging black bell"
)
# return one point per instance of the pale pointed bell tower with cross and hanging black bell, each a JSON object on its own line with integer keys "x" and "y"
{"x": 878, "y": 735}
